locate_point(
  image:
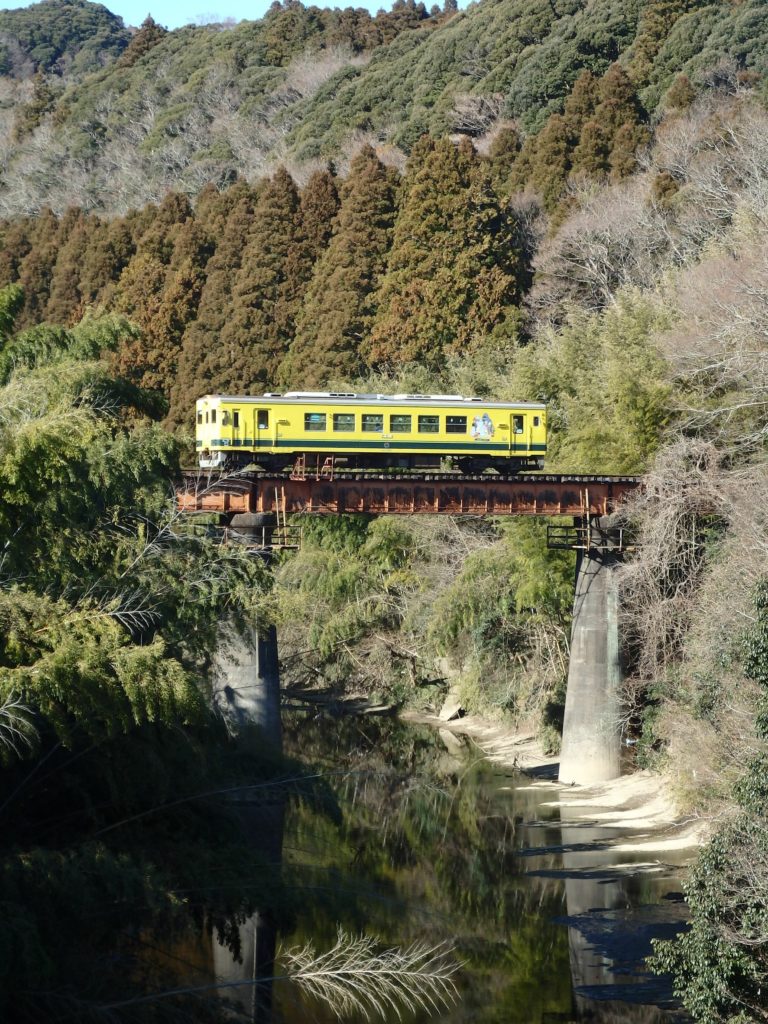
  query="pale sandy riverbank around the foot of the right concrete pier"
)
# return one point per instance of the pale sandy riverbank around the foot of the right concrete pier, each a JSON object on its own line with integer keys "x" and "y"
{"x": 639, "y": 804}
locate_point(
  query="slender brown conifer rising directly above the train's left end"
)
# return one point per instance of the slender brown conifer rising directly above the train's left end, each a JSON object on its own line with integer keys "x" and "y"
{"x": 268, "y": 292}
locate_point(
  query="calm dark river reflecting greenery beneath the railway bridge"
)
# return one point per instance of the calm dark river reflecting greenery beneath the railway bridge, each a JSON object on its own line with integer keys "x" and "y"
{"x": 416, "y": 837}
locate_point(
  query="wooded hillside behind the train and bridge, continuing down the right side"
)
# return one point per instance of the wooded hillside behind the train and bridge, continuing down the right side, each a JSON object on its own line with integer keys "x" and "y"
{"x": 563, "y": 201}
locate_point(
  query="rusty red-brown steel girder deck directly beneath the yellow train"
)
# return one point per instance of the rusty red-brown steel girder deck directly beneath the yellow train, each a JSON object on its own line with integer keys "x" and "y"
{"x": 533, "y": 494}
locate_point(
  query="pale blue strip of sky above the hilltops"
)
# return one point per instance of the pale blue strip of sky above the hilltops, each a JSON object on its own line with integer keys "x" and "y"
{"x": 173, "y": 14}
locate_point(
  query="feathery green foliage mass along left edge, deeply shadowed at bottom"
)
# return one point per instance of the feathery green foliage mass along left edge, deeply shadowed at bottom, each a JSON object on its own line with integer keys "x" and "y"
{"x": 109, "y": 619}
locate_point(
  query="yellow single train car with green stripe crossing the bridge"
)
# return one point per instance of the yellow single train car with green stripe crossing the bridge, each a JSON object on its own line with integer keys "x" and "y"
{"x": 369, "y": 432}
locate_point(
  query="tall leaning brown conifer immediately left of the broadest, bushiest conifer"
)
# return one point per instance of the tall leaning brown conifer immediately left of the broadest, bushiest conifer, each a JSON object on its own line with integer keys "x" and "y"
{"x": 338, "y": 309}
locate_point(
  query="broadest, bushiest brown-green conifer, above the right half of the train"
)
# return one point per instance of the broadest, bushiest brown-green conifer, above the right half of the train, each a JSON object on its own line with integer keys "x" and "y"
{"x": 453, "y": 265}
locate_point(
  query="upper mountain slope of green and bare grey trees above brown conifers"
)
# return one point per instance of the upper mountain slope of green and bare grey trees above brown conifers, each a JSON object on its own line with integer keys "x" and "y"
{"x": 306, "y": 86}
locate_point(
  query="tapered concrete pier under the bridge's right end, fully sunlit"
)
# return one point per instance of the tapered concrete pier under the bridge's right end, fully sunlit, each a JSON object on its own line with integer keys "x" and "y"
{"x": 591, "y": 740}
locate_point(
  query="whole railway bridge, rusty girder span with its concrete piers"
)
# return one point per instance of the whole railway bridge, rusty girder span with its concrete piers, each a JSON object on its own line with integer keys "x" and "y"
{"x": 258, "y": 505}
